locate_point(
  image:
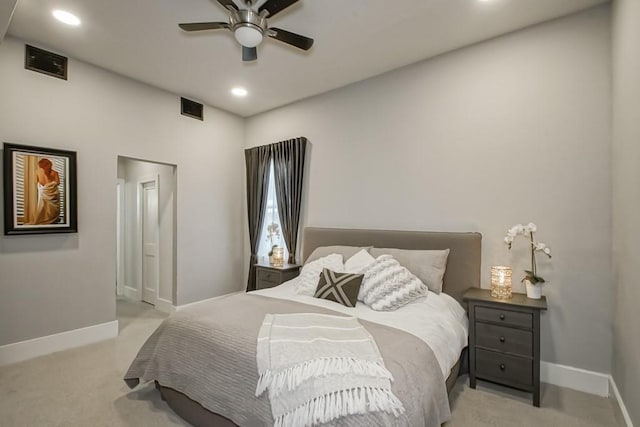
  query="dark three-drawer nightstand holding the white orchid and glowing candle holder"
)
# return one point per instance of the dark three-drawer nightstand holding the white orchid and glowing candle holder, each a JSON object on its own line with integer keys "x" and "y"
{"x": 504, "y": 340}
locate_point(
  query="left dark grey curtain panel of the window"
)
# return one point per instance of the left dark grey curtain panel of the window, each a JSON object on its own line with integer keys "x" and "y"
{"x": 257, "y": 161}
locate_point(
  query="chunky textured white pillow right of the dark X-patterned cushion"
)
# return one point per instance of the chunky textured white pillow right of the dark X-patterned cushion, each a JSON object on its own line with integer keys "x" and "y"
{"x": 387, "y": 285}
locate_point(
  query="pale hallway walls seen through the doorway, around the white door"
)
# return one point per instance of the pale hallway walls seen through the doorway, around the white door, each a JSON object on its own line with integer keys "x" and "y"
{"x": 132, "y": 172}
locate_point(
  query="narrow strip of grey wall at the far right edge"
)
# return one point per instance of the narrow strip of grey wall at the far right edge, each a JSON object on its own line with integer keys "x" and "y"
{"x": 626, "y": 201}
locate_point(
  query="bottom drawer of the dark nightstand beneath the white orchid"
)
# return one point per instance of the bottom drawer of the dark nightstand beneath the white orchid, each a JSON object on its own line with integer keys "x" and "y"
{"x": 505, "y": 369}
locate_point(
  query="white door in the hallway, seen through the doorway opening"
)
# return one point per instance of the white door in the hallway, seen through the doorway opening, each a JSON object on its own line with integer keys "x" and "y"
{"x": 149, "y": 242}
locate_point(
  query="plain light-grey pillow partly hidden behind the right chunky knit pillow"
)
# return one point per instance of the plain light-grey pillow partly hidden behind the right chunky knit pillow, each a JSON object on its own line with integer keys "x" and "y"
{"x": 428, "y": 265}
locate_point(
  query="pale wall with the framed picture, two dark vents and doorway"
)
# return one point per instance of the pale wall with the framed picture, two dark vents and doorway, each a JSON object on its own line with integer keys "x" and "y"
{"x": 54, "y": 283}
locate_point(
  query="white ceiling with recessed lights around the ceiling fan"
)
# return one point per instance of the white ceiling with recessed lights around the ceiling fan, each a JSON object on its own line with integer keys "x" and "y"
{"x": 354, "y": 40}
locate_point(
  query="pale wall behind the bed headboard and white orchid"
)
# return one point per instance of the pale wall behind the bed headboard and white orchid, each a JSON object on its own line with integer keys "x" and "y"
{"x": 515, "y": 129}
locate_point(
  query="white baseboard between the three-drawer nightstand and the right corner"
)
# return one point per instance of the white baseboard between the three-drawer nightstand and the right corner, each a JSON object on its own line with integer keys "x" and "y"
{"x": 575, "y": 378}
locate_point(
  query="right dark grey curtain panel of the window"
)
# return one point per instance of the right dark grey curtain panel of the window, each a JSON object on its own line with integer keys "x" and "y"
{"x": 288, "y": 167}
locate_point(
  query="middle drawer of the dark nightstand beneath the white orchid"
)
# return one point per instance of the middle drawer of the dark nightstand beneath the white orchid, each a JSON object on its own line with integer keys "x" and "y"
{"x": 504, "y": 339}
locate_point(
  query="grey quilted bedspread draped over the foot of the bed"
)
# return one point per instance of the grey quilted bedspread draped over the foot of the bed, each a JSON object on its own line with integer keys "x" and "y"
{"x": 208, "y": 353}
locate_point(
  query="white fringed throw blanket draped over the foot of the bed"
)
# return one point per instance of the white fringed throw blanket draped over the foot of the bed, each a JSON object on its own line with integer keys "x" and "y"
{"x": 319, "y": 367}
